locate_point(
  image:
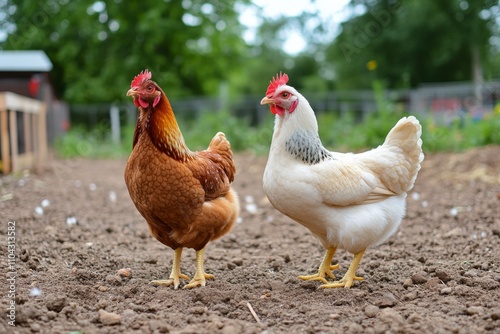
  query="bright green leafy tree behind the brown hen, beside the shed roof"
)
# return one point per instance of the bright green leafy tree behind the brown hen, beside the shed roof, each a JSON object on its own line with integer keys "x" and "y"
{"x": 97, "y": 47}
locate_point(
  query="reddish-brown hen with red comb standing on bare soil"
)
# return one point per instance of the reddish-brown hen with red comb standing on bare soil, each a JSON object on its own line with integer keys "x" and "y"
{"x": 185, "y": 197}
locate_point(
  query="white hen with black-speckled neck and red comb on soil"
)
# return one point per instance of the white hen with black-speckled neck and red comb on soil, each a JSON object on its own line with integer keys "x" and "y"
{"x": 348, "y": 201}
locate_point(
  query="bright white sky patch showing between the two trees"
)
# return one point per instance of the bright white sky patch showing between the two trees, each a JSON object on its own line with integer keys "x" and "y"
{"x": 333, "y": 12}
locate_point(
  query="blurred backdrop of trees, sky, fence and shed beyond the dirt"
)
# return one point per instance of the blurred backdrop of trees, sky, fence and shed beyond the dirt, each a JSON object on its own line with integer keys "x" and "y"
{"x": 362, "y": 64}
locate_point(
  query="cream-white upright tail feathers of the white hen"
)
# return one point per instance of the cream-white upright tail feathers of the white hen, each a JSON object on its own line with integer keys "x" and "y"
{"x": 406, "y": 135}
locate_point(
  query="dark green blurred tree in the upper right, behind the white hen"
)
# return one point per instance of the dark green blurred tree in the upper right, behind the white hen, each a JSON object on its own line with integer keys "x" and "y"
{"x": 415, "y": 41}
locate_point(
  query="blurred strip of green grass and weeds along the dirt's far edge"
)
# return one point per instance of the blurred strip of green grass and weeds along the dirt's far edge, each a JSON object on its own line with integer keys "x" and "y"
{"x": 341, "y": 133}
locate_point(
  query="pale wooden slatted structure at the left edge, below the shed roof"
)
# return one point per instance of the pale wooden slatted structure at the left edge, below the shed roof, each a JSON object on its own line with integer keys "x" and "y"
{"x": 23, "y": 133}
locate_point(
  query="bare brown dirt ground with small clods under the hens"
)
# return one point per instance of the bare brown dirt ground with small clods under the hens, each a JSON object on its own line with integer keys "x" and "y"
{"x": 84, "y": 257}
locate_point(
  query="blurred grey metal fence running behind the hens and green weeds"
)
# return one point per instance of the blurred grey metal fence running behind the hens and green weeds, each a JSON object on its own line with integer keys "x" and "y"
{"x": 444, "y": 102}
